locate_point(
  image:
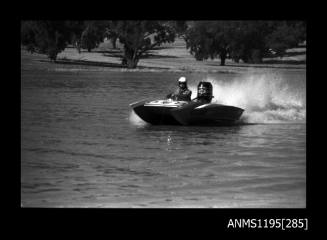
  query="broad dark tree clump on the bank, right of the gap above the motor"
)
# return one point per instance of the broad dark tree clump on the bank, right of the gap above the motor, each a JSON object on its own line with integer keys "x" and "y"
{"x": 248, "y": 41}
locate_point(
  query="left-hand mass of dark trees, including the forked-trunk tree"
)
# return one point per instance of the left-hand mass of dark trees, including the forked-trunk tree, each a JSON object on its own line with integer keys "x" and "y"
{"x": 137, "y": 37}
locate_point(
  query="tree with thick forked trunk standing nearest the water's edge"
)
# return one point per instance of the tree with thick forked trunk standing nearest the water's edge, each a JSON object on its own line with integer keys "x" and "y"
{"x": 138, "y": 37}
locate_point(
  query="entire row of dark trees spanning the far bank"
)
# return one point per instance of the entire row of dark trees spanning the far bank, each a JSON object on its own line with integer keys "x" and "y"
{"x": 248, "y": 41}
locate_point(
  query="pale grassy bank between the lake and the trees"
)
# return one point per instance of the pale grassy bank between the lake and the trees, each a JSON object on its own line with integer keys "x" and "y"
{"x": 170, "y": 57}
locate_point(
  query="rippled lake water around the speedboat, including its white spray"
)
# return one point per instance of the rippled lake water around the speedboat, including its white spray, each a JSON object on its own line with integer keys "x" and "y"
{"x": 82, "y": 145}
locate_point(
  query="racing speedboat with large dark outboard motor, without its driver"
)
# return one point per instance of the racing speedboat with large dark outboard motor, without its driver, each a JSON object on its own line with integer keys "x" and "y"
{"x": 195, "y": 112}
